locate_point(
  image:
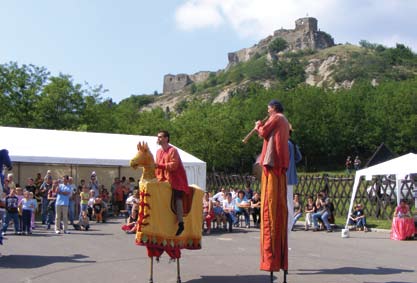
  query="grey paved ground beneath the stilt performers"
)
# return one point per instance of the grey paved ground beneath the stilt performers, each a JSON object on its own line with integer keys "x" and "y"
{"x": 106, "y": 254}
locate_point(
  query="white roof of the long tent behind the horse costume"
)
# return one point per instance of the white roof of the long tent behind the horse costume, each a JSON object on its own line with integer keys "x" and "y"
{"x": 85, "y": 148}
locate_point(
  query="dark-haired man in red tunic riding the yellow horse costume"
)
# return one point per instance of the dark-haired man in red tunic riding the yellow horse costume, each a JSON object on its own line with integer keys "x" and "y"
{"x": 169, "y": 168}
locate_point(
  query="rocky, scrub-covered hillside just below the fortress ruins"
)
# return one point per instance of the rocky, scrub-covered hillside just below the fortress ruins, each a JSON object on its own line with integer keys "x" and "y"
{"x": 336, "y": 67}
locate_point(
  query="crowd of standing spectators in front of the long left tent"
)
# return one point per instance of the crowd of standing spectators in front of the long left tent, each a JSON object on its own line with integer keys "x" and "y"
{"x": 57, "y": 201}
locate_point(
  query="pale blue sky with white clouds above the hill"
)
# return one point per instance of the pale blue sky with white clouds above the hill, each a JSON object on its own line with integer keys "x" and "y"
{"x": 128, "y": 46}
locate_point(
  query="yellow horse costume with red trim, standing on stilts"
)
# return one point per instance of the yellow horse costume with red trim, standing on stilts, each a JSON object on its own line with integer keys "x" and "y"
{"x": 157, "y": 222}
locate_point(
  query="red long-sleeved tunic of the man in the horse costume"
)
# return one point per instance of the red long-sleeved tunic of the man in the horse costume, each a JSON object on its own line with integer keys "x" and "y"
{"x": 170, "y": 168}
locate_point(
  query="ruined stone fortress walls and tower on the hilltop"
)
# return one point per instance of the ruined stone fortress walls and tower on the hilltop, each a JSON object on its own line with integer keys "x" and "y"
{"x": 304, "y": 36}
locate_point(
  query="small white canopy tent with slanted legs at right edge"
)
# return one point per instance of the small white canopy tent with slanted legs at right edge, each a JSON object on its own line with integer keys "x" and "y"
{"x": 400, "y": 167}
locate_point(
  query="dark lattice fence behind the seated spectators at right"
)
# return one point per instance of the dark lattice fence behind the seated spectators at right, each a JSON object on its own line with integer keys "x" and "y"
{"x": 378, "y": 196}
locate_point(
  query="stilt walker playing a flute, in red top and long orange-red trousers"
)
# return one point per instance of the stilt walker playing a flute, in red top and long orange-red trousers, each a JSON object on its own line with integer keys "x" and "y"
{"x": 274, "y": 161}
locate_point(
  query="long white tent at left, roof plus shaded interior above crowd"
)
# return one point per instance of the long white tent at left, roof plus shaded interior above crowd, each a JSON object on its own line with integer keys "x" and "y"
{"x": 79, "y": 153}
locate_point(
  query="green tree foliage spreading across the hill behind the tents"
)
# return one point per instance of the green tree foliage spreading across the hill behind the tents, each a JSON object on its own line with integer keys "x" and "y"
{"x": 328, "y": 125}
